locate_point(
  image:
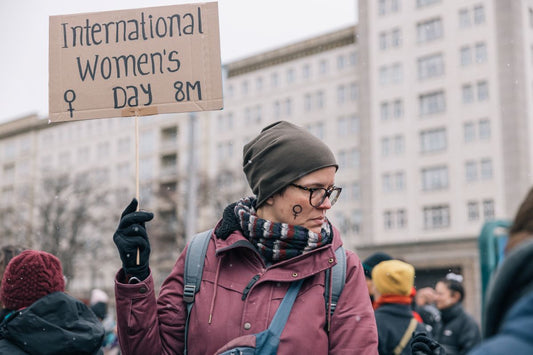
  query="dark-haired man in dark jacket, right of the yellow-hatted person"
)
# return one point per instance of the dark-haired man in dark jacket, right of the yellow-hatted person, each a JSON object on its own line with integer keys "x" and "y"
{"x": 458, "y": 332}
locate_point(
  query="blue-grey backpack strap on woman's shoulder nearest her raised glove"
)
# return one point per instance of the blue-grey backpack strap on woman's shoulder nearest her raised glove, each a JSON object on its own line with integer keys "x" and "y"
{"x": 192, "y": 277}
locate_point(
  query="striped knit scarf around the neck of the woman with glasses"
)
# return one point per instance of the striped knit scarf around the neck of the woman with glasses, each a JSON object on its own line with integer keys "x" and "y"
{"x": 278, "y": 241}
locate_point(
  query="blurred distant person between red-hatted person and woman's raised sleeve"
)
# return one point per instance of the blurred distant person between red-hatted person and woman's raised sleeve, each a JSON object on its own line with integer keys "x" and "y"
{"x": 99, "y": 302}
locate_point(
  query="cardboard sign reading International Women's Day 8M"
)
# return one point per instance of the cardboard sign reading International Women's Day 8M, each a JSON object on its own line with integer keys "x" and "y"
{"x": 135, "y": 62}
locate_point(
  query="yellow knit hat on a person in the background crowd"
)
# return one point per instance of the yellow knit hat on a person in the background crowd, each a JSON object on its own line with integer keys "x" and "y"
{"x": 393, "y": 277}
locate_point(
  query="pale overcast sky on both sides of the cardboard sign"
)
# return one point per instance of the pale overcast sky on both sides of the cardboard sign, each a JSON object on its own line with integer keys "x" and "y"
{"x": 247, "y": 27}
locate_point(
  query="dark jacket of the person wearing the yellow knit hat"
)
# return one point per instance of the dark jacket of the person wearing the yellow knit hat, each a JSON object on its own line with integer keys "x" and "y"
{"x": 392, "y": 320}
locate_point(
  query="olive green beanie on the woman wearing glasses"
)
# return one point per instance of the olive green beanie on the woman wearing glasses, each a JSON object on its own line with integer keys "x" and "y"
{"x": 281, "y": 154}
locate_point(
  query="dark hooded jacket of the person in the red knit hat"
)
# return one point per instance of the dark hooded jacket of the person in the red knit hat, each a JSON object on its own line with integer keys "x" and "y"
{"x": 55, "y": 324}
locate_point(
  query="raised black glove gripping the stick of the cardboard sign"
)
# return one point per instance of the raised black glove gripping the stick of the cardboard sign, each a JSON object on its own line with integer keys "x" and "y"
{"x": 131, "y": 236}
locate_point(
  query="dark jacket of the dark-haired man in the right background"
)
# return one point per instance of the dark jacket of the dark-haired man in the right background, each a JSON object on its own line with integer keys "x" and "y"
{"x": 458, "y": 333}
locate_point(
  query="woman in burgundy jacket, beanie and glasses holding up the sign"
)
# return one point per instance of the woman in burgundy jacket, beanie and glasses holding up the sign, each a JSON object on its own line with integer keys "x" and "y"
{"x": 265, "y": 249}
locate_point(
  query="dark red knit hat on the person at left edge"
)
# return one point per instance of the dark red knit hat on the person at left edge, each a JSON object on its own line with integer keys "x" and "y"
{"x": 29, "y": 276}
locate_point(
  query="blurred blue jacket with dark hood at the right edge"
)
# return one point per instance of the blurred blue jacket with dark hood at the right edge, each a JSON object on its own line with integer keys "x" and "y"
{"x": 508, "y": 311}
